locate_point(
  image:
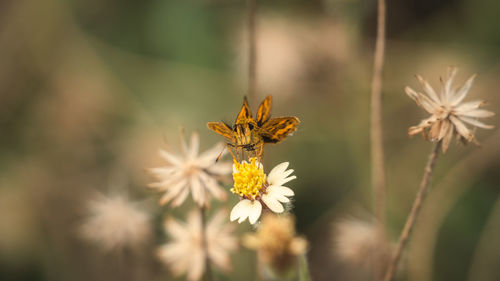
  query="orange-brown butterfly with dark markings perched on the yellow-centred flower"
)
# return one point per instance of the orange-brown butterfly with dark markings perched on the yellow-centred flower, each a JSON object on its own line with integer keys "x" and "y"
{"x": 249, "y": 135}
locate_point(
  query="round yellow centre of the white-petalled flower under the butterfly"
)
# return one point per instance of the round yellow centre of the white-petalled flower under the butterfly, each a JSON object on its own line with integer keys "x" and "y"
{"x": 249, "y": 179}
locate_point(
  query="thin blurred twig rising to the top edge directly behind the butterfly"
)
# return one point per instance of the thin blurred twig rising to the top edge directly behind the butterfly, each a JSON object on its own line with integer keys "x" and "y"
{"x": 252, "y": 50}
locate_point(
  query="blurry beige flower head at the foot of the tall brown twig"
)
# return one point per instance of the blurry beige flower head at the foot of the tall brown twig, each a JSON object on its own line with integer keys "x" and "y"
{"x": 361, "y": 244}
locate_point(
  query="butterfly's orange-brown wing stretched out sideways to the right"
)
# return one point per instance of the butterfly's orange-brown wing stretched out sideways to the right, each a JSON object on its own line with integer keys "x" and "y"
{"x": 276, "y": 130}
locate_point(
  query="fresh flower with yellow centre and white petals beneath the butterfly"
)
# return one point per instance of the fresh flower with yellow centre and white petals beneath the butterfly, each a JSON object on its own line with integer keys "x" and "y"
{"x": 255, "y": 189}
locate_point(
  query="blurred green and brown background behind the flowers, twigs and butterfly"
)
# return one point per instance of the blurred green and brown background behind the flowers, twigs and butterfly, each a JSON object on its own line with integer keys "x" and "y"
{"x": 90, "y": 90}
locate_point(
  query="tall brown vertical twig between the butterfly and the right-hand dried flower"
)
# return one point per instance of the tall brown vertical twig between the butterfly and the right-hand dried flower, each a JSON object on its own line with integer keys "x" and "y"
{"x": 377, "y": 149}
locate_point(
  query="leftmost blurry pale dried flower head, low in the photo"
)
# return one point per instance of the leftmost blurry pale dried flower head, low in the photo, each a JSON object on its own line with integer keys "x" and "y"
{"x": 114, "y": 222}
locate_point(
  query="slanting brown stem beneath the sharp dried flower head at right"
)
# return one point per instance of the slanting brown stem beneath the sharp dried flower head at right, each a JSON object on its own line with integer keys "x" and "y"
{"x": 415, "y": 210}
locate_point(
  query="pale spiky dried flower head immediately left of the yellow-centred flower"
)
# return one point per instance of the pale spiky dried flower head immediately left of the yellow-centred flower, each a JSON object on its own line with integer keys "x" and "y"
{"x": 191, "y": 172}
